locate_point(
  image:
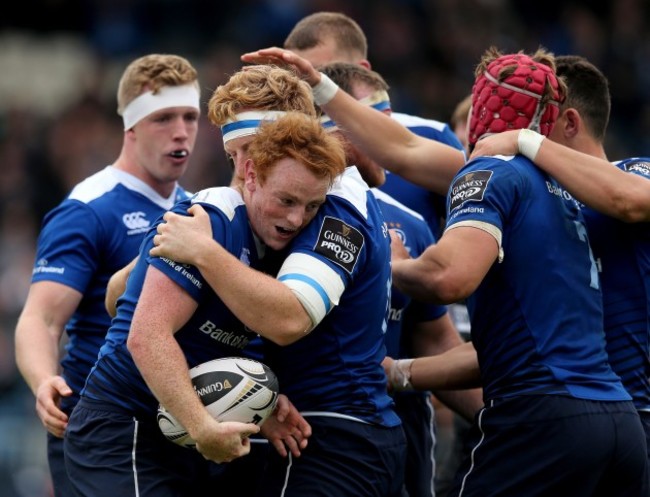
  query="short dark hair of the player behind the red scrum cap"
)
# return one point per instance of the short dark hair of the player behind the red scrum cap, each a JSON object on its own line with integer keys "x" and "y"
{"x": 587, "y": 92}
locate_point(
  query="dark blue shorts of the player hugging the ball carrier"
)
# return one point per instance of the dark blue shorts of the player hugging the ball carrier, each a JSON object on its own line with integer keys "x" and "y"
{"x": 344, "y": 458}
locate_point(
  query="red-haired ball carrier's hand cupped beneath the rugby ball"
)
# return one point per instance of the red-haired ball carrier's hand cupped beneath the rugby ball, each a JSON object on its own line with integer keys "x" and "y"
{"x": 225, "y": 441}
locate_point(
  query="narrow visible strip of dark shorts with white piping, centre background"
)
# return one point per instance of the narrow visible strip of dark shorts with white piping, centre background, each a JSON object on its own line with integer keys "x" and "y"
{"x": 416, "y": 412}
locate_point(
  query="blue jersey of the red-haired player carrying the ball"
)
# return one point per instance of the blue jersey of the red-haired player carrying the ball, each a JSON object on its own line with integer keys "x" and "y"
{"x": 212, "y": 331}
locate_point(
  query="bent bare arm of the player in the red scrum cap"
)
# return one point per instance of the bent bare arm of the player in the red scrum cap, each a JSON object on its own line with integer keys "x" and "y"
{"x": 450, "y": 270}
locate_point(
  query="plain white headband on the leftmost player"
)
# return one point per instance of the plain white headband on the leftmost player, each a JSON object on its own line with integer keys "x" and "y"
{"x": 167, "y": 96}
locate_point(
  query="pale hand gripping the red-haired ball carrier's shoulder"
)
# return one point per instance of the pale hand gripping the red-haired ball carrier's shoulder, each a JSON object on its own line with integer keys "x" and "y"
{"x": 180, "y": 237}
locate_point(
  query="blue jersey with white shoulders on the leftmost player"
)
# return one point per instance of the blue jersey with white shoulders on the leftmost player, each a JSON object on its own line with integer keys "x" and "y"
{"x": 91, "y": 234}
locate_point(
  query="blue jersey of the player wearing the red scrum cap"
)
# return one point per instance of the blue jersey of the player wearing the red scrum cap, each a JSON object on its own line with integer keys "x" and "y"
{"x": 537, "y": 319}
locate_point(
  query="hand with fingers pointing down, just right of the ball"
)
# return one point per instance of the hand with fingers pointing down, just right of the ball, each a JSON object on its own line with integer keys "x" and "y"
{"x": 286, "y": 428}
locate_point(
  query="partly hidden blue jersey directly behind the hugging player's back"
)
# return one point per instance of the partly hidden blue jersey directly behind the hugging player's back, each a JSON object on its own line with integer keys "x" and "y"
{"x": 416, "y": 236}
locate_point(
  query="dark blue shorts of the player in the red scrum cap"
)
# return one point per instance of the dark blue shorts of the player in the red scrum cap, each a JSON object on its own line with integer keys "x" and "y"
{"x": 542, "y": 445}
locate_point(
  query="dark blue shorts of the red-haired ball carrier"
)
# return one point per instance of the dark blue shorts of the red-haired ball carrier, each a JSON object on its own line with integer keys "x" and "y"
{"x": 110, "y": 453}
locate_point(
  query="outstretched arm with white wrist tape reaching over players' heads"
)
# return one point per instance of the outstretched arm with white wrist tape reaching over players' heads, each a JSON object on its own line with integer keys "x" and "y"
{"x": 425, "y": 162}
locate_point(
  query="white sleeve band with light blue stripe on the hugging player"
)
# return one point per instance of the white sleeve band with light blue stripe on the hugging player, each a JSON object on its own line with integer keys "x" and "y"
{"x": 316, "y": 285}
